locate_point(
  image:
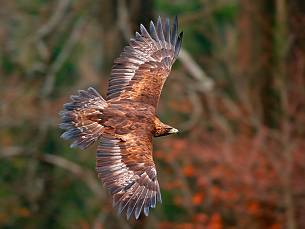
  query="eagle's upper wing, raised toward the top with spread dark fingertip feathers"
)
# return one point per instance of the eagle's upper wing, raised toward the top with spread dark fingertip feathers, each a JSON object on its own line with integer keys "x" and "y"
{"x": 142, "y": 68}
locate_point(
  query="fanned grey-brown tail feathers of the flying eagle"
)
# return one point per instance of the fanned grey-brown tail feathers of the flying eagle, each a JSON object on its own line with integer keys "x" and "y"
{"x": 81, "y": 118}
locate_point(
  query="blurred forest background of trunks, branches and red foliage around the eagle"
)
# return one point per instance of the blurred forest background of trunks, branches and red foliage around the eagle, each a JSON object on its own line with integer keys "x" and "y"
{"x": 237, "y": 94}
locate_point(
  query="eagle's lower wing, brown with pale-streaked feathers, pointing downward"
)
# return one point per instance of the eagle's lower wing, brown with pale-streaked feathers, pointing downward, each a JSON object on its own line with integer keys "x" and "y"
{"x": 127, "y": 169}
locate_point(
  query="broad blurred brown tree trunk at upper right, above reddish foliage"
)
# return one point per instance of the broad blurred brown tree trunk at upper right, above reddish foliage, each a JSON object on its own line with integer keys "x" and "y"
{"x": 255, "y": 60}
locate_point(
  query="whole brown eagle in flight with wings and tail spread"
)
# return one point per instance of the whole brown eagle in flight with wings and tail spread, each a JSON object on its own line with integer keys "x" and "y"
{"x": 124, "y": 123}
